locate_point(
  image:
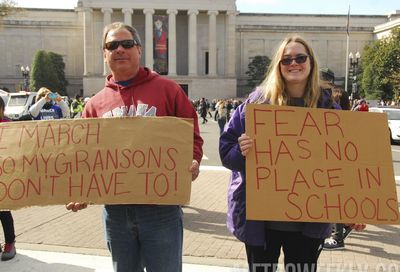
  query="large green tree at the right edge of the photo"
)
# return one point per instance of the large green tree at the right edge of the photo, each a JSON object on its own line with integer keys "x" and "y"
{"x": 380, "y": 67}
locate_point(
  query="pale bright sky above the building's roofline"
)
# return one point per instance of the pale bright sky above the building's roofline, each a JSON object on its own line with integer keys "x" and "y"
{"x": 367, "y": 7}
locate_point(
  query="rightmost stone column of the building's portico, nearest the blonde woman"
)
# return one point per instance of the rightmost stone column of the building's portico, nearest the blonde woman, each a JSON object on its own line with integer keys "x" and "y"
{"x": 230, "y": 54}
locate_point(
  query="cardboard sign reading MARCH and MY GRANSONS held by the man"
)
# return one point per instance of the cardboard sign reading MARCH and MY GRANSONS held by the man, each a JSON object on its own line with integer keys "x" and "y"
{"x": 102, "y": 161}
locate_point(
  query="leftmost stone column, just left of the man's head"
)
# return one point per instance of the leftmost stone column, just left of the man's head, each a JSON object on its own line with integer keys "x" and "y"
{"x": 88, "y": 47}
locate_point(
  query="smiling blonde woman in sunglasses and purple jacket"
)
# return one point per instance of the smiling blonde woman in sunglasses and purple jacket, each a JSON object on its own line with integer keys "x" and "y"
{"x": 293, "y": 80}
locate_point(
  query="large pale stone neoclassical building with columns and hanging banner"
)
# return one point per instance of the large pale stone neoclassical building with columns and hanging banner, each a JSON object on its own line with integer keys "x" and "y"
{"x": 203, "y": 45}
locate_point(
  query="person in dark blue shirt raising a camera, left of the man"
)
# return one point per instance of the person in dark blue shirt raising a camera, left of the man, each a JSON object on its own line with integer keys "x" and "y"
{"x": 49, "y": 106}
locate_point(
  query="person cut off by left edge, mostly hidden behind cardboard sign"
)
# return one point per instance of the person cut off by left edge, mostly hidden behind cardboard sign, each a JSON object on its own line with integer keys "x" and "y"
{"x": 8, "y": 251}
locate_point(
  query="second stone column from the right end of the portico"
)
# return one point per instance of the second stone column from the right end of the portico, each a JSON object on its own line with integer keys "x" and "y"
{"x": 212, "y": 43}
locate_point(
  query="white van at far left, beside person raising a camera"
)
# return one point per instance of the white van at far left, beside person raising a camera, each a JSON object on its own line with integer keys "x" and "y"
{"x": 18, "y": 104}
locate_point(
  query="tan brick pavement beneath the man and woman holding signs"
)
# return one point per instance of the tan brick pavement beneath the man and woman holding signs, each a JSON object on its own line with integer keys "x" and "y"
{"x": 44, "y": 232}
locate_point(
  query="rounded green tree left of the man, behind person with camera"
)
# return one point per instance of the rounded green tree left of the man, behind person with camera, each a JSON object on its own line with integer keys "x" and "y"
{"x": 48, "y": 71}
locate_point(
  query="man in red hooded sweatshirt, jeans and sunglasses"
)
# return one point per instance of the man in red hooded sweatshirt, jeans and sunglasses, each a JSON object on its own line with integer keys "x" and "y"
{"x": 140, "y": 236}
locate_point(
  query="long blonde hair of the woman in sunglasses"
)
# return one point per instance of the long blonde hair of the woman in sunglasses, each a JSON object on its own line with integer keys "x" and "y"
{"x": 273, "y": 87}
